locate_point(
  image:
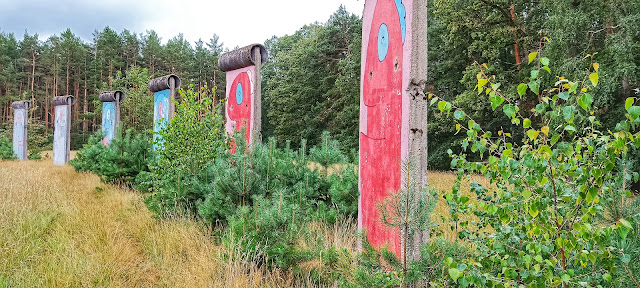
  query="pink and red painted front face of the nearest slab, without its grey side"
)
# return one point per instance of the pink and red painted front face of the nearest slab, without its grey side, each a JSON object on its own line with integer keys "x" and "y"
{"x": 384, "y": 112}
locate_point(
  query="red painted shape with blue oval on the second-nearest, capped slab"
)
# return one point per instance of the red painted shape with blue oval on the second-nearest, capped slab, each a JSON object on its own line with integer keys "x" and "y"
{"x": 239, "y": 105}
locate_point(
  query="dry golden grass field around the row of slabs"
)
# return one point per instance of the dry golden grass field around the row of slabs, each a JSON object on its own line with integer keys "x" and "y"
{"x": 59, "y": 228}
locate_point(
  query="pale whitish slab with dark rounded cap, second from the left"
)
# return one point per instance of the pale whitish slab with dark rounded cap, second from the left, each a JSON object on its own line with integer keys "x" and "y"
{"x": 62, "y": 129}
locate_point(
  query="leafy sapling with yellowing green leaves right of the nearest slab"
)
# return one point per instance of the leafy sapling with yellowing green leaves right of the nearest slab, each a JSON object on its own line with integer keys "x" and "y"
{"x": 540, "y": 222}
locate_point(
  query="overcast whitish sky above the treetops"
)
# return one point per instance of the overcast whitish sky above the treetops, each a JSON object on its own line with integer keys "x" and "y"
{"x": 238, "y": 23}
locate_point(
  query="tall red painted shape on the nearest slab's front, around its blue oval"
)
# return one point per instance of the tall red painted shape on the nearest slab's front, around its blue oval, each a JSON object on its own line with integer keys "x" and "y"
{"x": 380, "y": 146}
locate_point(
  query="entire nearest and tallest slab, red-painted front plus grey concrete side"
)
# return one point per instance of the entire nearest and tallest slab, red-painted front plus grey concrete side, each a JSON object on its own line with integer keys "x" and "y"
{"x": 393, "y": 126}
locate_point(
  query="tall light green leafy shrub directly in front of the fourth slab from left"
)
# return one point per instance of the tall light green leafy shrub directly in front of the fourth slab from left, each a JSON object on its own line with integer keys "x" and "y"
{"x": 193, "y": 138}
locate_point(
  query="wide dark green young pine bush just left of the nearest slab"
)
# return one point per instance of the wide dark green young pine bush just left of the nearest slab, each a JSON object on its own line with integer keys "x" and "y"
{"x": 267, "y": 196}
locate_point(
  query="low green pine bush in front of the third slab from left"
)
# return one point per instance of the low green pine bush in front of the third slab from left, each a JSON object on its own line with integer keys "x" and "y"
{"x": 119, "y": 163}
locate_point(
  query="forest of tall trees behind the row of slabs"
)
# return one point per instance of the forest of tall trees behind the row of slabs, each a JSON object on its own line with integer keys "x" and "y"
{"x": 312, "y": 79}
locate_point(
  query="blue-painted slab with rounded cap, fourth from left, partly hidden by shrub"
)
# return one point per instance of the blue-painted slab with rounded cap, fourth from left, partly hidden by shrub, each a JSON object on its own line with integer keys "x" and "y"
{"x": 164, "y": 89}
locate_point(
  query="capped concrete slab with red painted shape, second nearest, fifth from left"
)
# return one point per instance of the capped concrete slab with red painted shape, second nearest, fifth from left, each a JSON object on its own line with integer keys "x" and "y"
{"x": 244, "y": 99}
